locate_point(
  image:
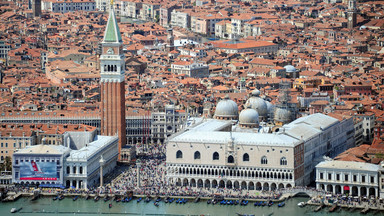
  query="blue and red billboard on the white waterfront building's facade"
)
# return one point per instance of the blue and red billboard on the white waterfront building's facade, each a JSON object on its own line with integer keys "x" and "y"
{"x": 38, "y": 171}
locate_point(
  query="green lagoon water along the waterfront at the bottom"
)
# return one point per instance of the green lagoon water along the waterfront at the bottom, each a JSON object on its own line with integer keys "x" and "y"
{"x": 46, "y": 206}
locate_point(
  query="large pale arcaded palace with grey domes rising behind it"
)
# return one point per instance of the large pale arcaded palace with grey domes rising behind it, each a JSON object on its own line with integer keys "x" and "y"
{"x": 222, "y": 152}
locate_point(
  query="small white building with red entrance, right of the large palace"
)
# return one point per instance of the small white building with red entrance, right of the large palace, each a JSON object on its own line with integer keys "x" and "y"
{"x": 354, "y": 178}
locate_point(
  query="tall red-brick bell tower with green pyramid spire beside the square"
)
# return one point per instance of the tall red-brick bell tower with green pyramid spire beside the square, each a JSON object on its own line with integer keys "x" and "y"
{"x": 112, "y": 84}
